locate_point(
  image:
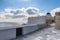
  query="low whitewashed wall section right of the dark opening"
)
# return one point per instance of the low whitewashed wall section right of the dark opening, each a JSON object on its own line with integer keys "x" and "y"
{"x": 29, "y": 29}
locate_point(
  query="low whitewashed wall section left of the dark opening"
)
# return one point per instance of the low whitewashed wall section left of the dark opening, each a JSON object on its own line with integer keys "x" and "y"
{"x": 7, "y": 34}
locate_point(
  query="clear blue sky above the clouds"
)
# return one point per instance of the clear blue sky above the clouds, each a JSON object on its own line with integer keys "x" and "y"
{"x": 43, "y": 5}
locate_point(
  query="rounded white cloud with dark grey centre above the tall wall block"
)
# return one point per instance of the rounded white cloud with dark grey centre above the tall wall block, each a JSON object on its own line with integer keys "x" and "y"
{"x": 32, "y": 11}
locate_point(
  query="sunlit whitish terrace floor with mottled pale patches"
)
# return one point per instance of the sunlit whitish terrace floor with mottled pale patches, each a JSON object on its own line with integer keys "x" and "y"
{"x": 49, "y": 33}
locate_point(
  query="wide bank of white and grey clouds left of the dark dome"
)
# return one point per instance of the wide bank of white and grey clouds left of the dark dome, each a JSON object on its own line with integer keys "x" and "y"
{"x": 19, "y": 15}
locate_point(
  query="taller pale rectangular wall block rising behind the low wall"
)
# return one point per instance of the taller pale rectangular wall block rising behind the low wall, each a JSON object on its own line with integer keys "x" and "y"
{"x": 37, "y": 20}
